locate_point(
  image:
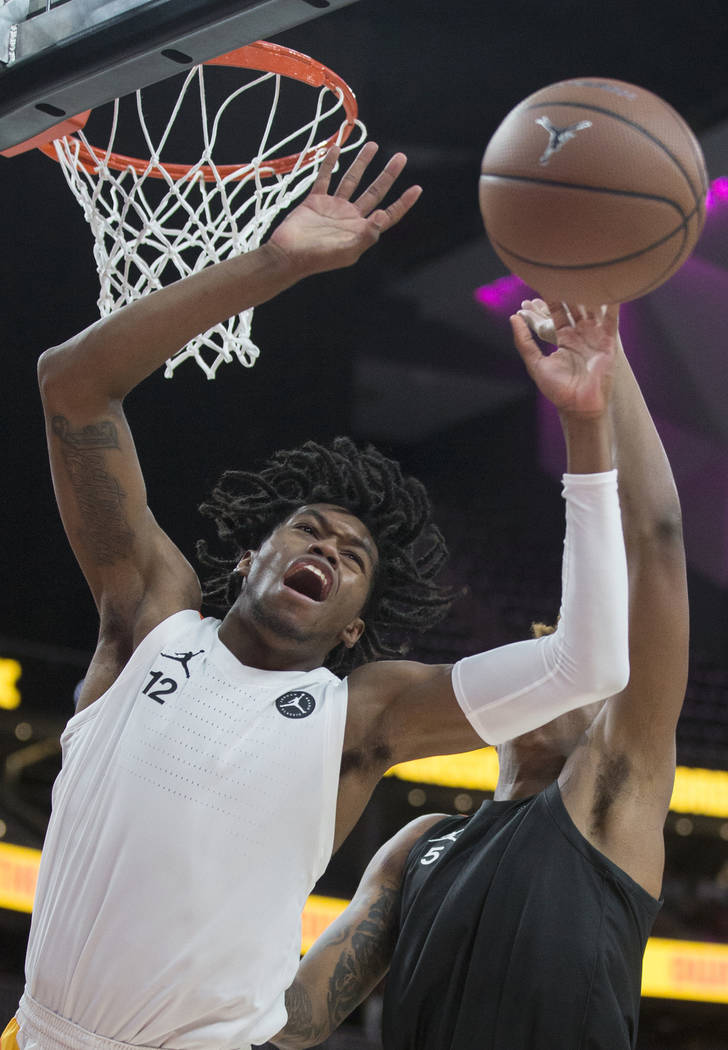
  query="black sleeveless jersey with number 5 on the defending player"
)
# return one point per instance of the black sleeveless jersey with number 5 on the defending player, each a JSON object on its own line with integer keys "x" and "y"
{"x": 516, "y": 935}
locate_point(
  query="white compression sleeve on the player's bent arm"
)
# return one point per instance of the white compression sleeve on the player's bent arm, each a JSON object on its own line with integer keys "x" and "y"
{"x": 517, "y": 688}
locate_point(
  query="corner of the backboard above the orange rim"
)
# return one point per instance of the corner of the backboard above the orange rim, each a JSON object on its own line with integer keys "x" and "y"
{"x": 59, "y": 58}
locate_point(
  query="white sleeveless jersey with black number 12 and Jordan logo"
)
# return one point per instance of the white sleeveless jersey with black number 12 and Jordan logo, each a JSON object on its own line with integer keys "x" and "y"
{"x": 193, "y": 815}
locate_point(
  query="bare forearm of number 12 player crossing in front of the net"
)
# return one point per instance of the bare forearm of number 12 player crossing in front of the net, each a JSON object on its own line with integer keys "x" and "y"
{"x": 111, "y": 358}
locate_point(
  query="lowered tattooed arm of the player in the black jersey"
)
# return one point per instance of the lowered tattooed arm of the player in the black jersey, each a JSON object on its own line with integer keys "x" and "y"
{"x": 352, "y": 956}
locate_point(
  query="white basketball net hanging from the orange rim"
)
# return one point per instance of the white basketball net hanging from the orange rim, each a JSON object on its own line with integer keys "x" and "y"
{"x": 142, "y": 244}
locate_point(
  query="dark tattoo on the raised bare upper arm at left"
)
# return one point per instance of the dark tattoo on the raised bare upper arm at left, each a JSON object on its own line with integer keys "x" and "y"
{"x": 107, "y": 533}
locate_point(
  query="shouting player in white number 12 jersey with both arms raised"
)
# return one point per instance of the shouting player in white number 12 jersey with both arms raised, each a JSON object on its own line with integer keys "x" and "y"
{"x": 201, "y": 793}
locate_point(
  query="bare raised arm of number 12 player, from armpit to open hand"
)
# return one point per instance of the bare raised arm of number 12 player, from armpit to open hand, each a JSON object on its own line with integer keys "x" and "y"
{"x": 136, "y": 575}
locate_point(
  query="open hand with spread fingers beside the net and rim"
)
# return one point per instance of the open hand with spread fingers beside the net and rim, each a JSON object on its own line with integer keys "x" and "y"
{"x": 331, "y": 230}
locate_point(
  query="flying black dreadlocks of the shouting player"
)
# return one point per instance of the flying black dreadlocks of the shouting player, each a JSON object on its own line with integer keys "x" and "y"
{"x": 246, "y": 508}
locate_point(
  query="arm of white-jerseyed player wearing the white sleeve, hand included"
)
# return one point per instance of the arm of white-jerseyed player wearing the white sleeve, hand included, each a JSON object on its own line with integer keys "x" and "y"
{"x": 509, "y": 691}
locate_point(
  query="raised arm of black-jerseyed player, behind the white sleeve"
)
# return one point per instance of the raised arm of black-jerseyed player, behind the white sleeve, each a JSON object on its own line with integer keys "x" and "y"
{"x": 618, "y": 786}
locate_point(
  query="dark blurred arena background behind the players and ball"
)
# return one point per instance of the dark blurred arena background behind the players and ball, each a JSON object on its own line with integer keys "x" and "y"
{"x": 398, "y": 351}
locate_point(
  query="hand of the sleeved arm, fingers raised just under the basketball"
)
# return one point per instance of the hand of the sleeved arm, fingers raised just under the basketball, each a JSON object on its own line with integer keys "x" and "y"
{"x": 577, "y": 376}
